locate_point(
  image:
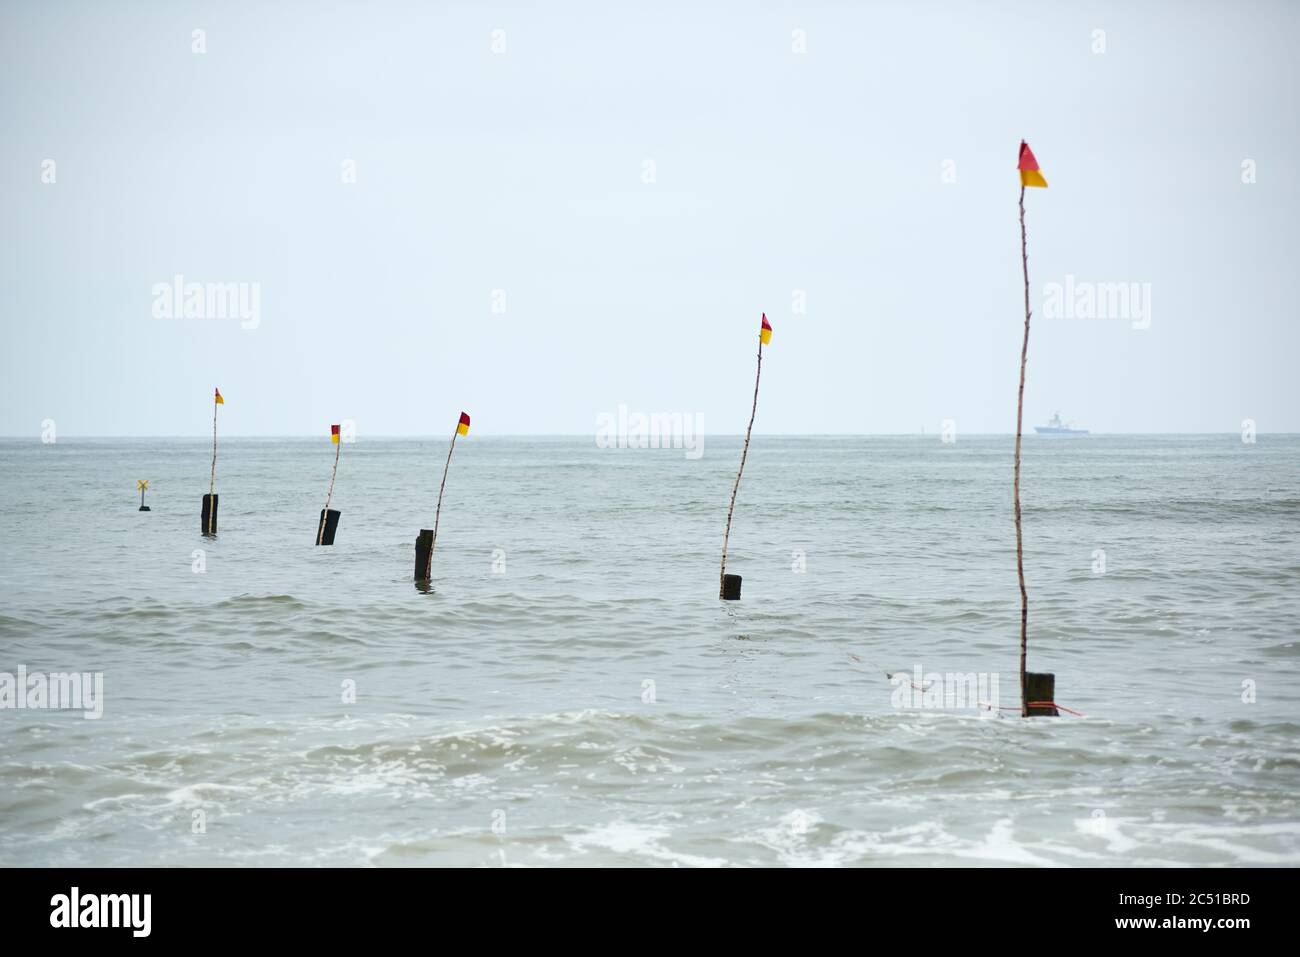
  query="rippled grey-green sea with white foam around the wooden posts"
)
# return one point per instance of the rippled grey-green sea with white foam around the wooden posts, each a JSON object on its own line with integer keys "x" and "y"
{"x": 573, "y": 691}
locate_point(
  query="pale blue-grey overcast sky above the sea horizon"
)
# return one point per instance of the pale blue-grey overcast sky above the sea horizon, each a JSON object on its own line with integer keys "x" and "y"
{"x": 543, "y": 213}
